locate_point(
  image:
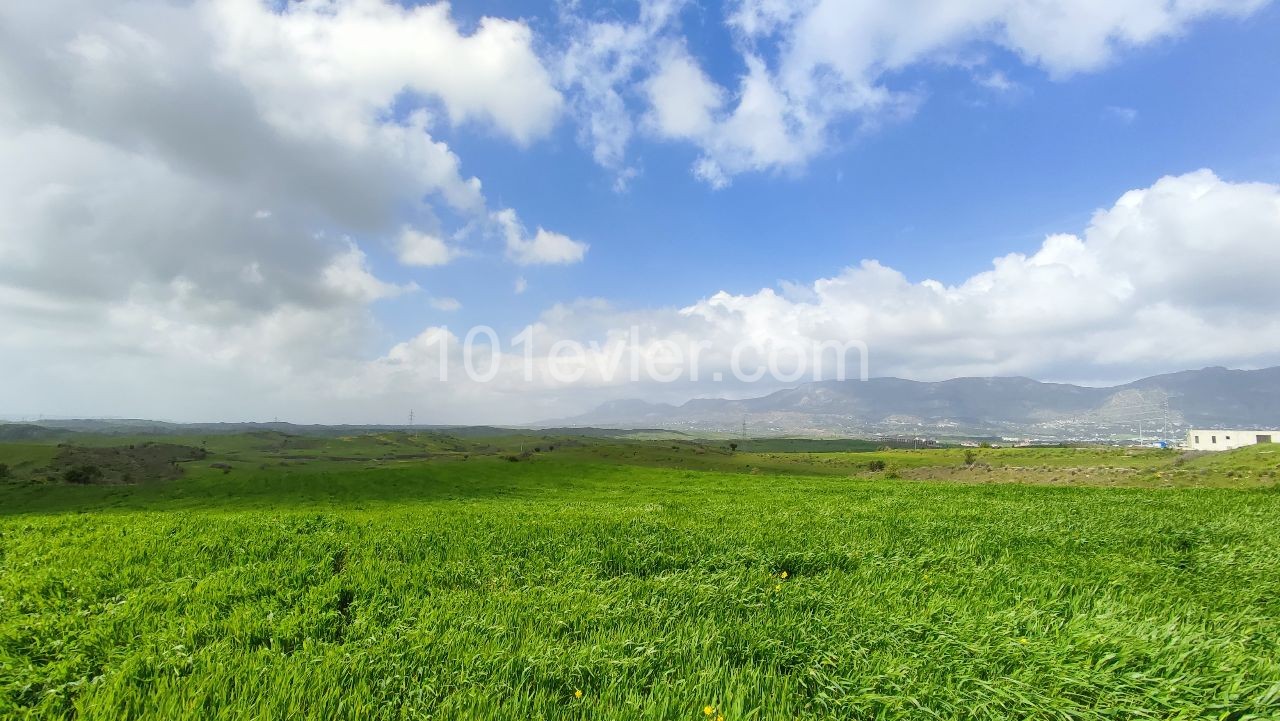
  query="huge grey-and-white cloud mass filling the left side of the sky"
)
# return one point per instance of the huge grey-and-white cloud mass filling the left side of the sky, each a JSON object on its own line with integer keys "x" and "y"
{"x": 188, "y": 186}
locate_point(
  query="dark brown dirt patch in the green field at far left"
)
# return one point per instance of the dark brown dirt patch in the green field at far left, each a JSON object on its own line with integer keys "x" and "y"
{"x": 122, "y": 464}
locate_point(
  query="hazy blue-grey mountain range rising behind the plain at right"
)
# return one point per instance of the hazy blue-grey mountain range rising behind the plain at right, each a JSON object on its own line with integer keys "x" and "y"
{"x": 1158, "y": 407}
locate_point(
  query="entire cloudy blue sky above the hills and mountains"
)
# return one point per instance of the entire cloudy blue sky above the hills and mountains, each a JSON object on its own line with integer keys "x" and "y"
{"x": 301, "y": 211}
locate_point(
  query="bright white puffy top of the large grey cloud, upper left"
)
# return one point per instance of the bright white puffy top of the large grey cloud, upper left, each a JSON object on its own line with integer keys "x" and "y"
{"x": 327, "y": 66}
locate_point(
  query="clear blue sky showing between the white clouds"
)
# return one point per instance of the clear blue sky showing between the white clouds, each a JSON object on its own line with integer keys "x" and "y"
{"x": 973, "y": 175}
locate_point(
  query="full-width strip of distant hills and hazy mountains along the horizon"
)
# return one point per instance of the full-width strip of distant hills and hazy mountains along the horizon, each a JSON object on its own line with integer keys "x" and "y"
{"x": 1022, "y": 408}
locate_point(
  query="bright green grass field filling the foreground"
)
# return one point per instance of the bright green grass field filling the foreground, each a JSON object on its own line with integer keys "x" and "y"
{"x": 423, "y": 577}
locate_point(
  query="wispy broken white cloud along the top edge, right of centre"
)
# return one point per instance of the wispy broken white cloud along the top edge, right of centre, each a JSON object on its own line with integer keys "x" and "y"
{"x": 816, "y": 67}
